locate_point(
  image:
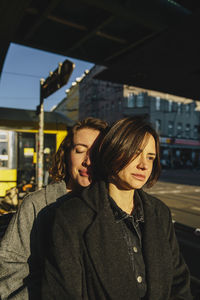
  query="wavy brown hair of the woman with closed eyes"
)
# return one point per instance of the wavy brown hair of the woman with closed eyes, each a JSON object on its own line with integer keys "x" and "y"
{"x": 60, "y": 166}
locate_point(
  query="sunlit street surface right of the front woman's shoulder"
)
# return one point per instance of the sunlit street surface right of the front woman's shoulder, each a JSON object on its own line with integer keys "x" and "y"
{"x": 180, "y": 190}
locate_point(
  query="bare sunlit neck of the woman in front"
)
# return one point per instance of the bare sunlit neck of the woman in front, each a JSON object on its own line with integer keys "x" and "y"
{"x": 123, "y": 198}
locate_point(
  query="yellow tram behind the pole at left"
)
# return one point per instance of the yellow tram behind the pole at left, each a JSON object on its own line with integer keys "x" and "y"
{"x": 18, "y": 140}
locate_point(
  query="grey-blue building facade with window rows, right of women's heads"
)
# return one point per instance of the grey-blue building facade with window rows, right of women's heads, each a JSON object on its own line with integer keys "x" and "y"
{"x": 177, "y": 120}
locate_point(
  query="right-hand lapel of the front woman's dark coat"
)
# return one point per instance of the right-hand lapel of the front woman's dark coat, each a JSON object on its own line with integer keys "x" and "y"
{"x": 156, "y": 252}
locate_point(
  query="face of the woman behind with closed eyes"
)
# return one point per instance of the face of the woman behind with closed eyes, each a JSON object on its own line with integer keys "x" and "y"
{"x": 79, "y": 159}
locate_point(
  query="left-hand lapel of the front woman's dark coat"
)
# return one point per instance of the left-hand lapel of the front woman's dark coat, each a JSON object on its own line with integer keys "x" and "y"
{"x": 107, "y": 249}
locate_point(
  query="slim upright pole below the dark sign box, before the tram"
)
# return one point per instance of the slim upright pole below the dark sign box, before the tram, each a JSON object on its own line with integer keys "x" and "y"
{"x": 40, "y": 154}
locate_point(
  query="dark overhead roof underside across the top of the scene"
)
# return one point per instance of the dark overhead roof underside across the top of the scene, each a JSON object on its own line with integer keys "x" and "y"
{"x": 150, "y": 44}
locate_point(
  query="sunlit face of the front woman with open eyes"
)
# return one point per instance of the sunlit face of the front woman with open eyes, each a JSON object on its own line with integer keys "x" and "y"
{"x": 138, "y": 171}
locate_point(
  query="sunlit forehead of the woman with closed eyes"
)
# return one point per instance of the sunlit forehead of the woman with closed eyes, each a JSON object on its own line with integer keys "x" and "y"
{"x": 85, "y": 136}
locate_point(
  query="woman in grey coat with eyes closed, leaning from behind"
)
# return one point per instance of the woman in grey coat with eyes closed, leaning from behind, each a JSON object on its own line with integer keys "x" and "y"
{"x": 71, "y": 171}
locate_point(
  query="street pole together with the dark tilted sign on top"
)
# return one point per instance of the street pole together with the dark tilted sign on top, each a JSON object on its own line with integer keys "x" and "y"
{"x": 48, "y": 86}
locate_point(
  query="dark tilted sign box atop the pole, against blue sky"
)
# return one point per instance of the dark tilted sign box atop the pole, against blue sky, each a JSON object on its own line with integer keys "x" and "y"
{"x": 57, "y": 79}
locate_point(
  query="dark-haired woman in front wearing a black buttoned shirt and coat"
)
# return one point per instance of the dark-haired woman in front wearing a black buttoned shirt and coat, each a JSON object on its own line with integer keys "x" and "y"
{"x": 115, "y": 241}
